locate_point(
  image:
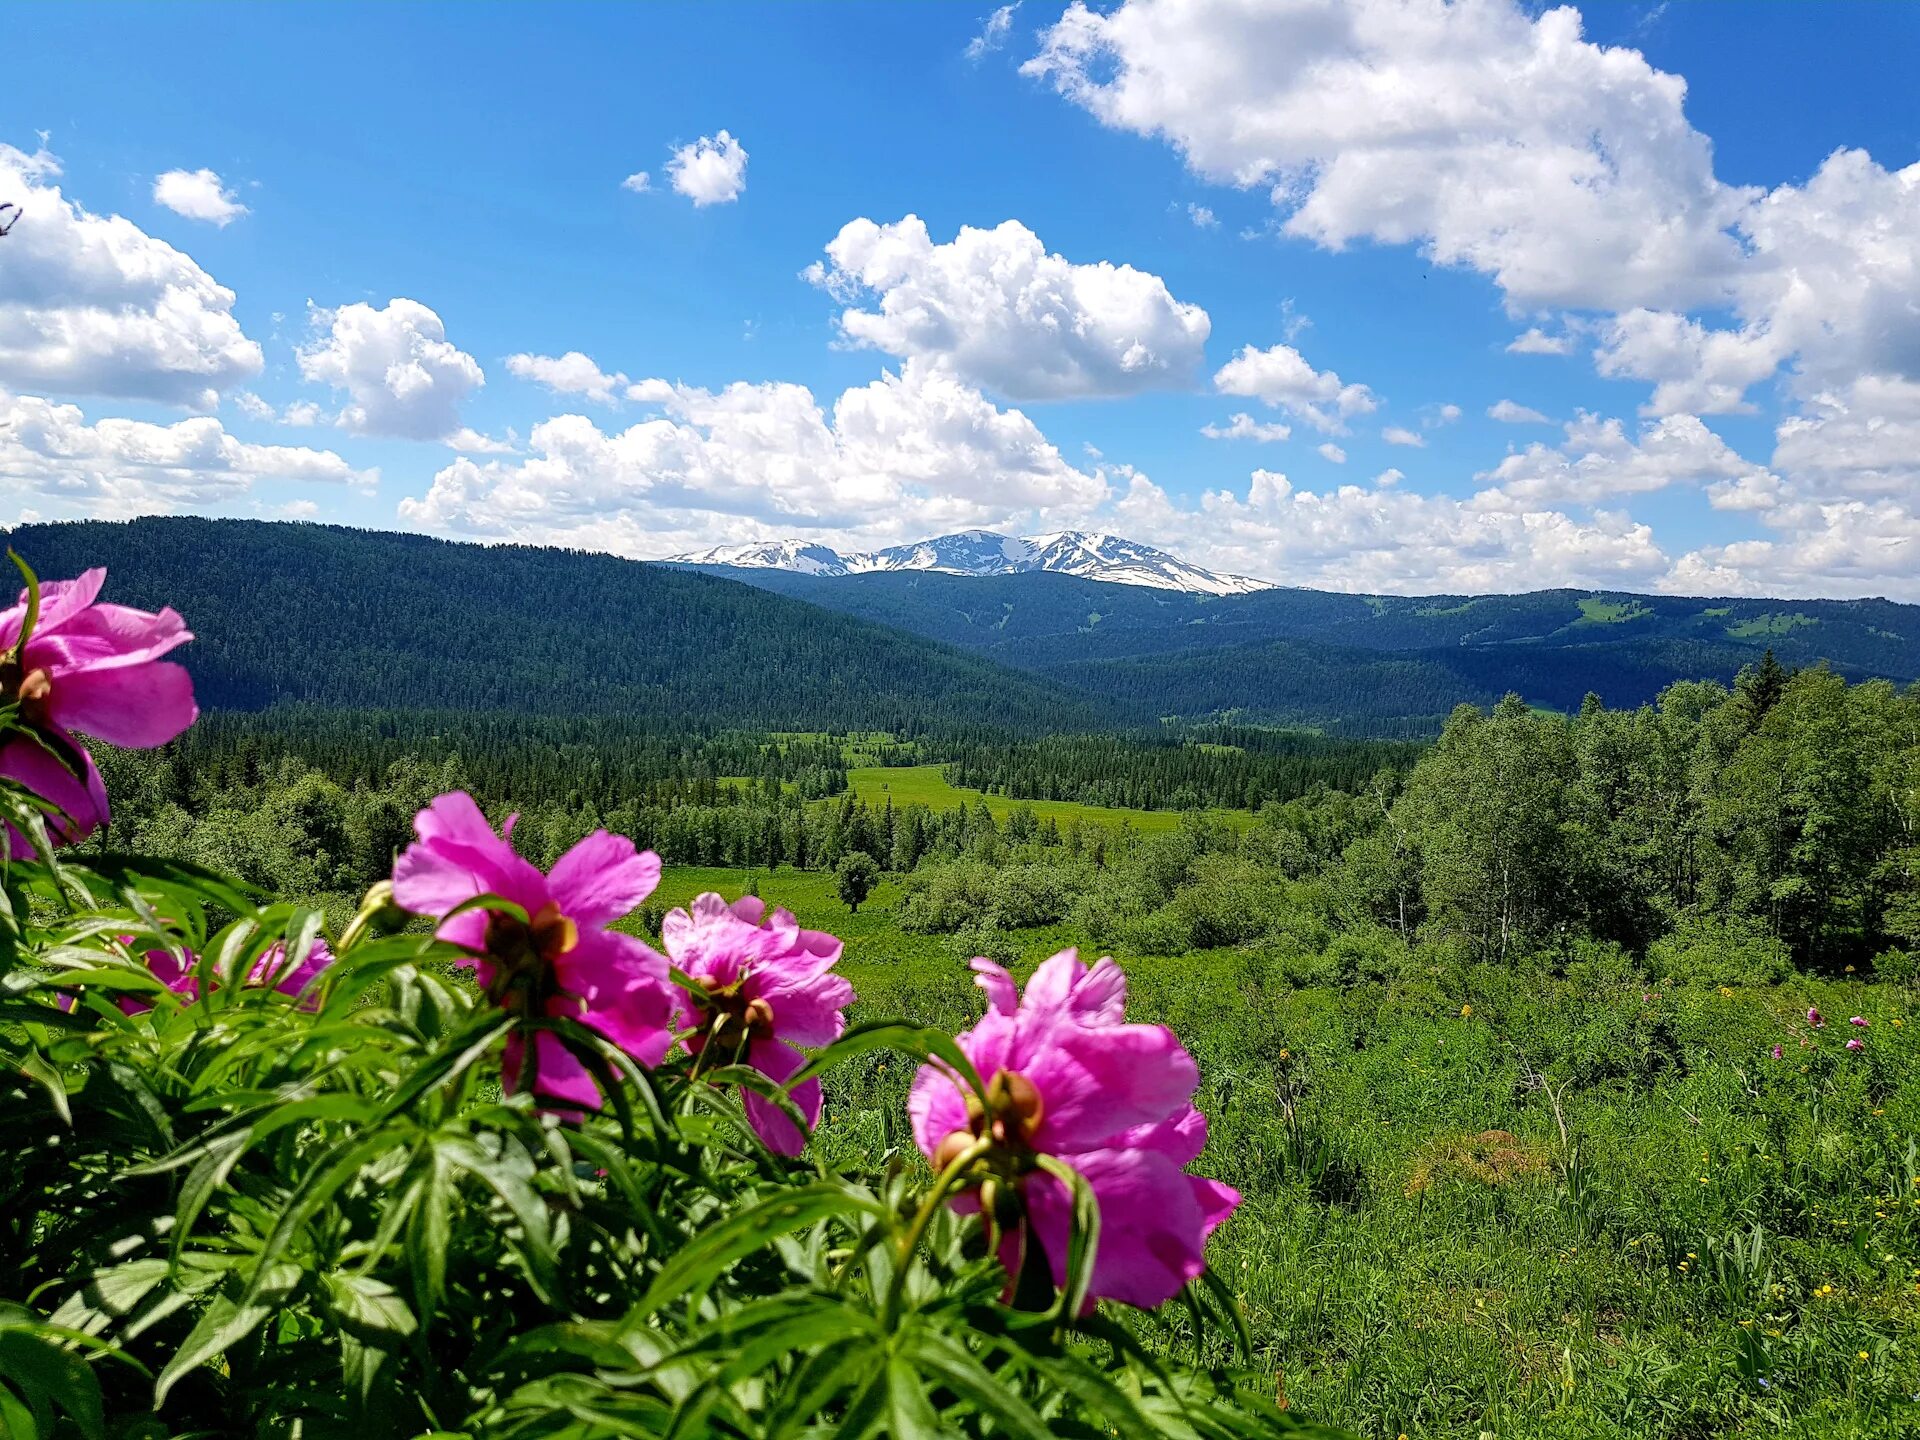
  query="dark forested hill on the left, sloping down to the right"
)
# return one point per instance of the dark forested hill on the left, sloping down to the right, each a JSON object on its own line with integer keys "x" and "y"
{"x": 360, "y": 619}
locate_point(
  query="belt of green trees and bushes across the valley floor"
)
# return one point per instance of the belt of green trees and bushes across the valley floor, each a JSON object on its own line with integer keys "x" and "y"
{"x": 1721, "y": 828}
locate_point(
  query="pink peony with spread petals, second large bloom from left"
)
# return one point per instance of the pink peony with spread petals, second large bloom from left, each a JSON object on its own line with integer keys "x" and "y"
{"x": 564, "y": 961}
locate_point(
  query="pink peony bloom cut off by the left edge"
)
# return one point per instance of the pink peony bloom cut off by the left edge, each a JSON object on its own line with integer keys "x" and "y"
{"x": 95, "y": 669}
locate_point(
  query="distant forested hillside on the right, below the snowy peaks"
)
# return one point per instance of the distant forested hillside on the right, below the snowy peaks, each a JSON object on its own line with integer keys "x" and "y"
{"x": 1364, "y": 663}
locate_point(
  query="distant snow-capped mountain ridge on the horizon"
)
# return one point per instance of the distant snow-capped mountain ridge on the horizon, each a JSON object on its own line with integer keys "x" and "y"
{"x": 984, "y": 552}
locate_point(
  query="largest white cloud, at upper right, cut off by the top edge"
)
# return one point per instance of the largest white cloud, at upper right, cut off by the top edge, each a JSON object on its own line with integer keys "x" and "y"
{"x": 1489, "y": 135}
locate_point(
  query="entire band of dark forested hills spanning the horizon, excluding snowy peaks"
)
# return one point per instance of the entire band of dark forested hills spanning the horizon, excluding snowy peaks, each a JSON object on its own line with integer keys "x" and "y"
{"x": 358, "y": 621}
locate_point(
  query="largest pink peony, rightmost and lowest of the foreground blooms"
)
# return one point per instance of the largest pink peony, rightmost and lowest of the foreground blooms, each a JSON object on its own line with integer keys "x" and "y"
{"x": 1068, "y": 1078}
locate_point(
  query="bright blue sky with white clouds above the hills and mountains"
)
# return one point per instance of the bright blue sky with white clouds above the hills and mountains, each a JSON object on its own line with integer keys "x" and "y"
{"x": 1333, "y": 220}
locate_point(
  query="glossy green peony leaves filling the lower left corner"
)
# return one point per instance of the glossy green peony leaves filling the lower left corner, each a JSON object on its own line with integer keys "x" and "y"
{"x": 239, "y": 1212}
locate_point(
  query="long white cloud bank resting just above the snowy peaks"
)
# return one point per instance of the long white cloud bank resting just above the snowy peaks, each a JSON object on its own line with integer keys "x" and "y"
{"x": 898, "y": 460}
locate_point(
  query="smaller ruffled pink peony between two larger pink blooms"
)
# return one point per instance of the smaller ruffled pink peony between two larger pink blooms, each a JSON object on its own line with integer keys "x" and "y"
{"x": 767, "y": 990}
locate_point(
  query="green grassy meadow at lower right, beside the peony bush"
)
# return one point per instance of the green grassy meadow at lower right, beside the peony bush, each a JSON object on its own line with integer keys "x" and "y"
{"x": 1426, "y": 1251}
